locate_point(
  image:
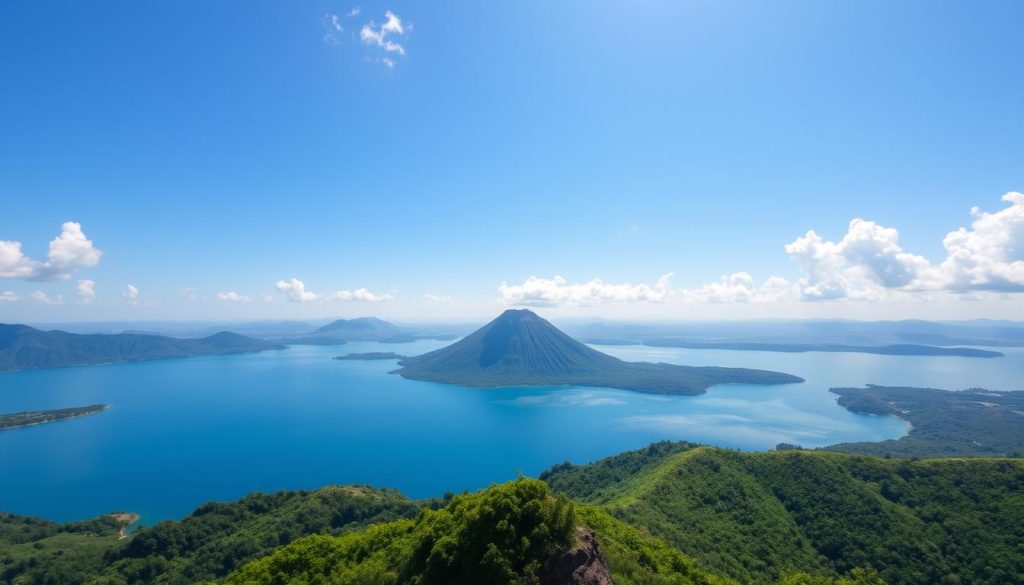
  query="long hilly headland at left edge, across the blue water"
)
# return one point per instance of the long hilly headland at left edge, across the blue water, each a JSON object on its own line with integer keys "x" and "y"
{"x": 24, "y": 348}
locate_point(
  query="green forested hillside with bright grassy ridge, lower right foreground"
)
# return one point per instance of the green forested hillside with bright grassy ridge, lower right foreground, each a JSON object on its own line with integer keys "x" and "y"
{"x": 756, "y": 516}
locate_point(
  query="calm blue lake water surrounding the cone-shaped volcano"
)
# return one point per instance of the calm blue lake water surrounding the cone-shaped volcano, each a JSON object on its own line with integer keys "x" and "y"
{"x": 181, "y": 433}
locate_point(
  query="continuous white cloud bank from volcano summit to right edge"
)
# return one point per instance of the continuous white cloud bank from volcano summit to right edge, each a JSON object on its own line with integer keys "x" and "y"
{"x": 868, "y": 264}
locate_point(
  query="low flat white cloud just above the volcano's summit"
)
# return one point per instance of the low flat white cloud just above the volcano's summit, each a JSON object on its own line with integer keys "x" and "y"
{"x": 549, "y": 292}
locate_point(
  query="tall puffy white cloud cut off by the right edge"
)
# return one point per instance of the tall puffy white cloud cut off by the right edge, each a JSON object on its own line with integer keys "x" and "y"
{"x": 991, "y": 255}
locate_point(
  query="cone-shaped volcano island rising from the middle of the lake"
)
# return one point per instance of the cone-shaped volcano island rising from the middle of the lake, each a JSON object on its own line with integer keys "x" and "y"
{"x": 520, "y": 349}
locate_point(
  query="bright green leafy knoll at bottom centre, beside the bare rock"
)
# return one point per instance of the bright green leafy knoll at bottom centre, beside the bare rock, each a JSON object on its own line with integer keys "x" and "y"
{"x": 501, "y": 535}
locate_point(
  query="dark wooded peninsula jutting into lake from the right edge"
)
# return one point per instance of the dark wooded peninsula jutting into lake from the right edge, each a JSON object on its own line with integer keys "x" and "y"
{"x": 945, "y": 424}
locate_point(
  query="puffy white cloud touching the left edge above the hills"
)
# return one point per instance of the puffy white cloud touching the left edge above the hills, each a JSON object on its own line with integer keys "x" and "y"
{"x": 69, "y": 254}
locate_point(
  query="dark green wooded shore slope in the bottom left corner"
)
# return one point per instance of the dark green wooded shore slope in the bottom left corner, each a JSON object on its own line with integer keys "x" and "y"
{"x": 215, "y": 540}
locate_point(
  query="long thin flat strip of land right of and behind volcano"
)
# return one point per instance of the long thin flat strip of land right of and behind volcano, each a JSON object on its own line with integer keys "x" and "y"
{"x": 899, "y": 350}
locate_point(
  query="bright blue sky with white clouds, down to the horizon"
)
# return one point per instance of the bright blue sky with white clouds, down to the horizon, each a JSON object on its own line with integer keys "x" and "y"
{"x": 430, "y": 153}
